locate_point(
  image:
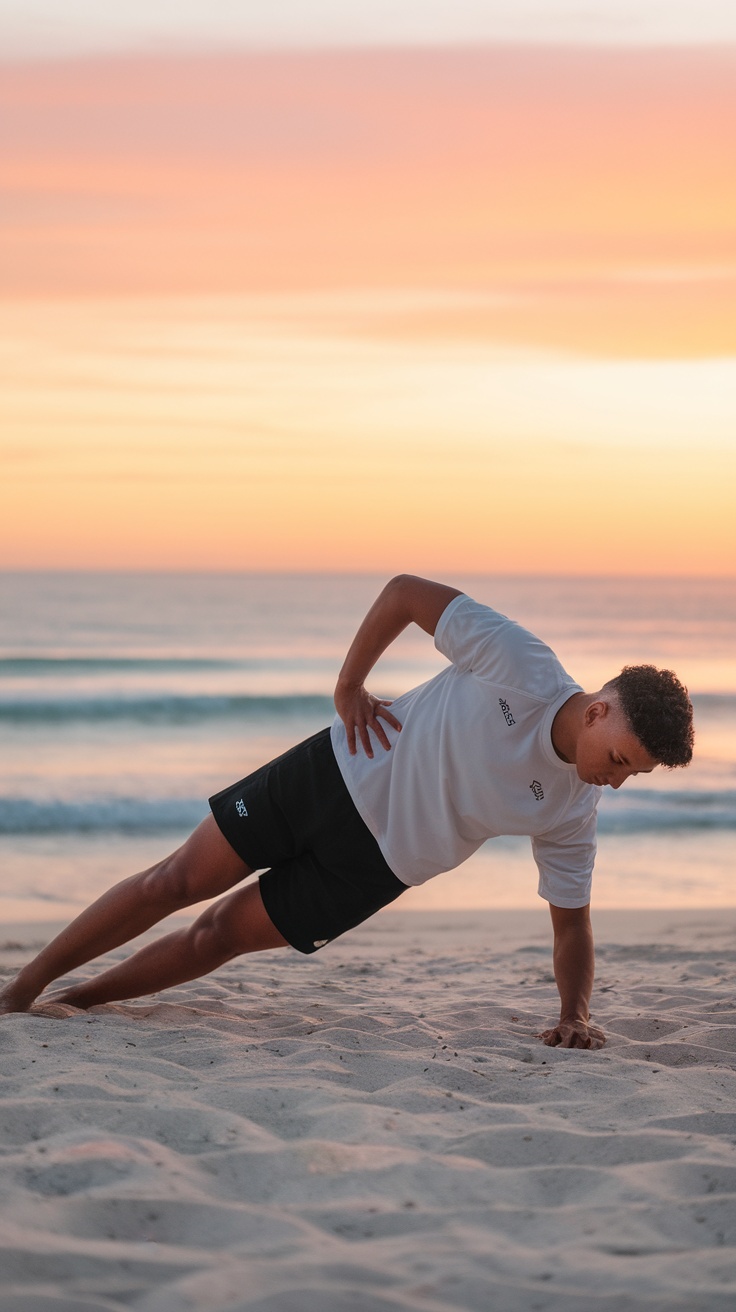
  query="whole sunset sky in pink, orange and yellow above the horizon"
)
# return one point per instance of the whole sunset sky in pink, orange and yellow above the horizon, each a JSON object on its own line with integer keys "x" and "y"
{"x": 401, "y": 296}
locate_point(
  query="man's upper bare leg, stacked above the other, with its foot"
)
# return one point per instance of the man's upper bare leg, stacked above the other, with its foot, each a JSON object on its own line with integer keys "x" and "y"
{"x": 203, "y": 868}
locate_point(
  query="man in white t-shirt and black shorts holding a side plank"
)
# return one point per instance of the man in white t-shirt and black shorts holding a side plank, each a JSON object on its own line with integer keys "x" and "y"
{"x": 501, "y": 742}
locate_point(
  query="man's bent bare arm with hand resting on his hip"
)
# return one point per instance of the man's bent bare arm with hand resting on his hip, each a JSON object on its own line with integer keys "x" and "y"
{"x": 405, "y": 600}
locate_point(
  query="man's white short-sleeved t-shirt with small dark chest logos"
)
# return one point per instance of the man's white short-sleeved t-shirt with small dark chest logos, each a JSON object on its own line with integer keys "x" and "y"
{"x": 476, "y": 760}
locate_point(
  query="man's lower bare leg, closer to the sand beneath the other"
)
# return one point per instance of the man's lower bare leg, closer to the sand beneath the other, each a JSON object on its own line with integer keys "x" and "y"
{"x": 229, "y": 928}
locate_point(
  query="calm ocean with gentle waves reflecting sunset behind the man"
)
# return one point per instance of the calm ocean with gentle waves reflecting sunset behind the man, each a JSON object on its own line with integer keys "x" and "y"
{"x": 128, "y": 700}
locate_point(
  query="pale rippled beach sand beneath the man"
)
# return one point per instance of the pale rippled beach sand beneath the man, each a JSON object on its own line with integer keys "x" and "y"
{"x": 377, "y": 1129}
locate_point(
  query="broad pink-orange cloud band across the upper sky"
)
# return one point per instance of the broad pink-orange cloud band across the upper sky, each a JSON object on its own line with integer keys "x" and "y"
{"x": 478, "y": 170}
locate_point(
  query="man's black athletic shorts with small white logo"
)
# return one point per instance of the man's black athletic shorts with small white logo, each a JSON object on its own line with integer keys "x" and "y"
{"x": 296, "y": 817}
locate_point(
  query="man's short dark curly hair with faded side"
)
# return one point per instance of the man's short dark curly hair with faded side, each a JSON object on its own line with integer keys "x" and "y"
{"x": 659, "y": 712}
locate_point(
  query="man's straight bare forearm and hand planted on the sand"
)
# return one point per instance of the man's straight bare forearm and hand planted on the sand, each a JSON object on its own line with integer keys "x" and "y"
{"x": 575, "y": 966}
